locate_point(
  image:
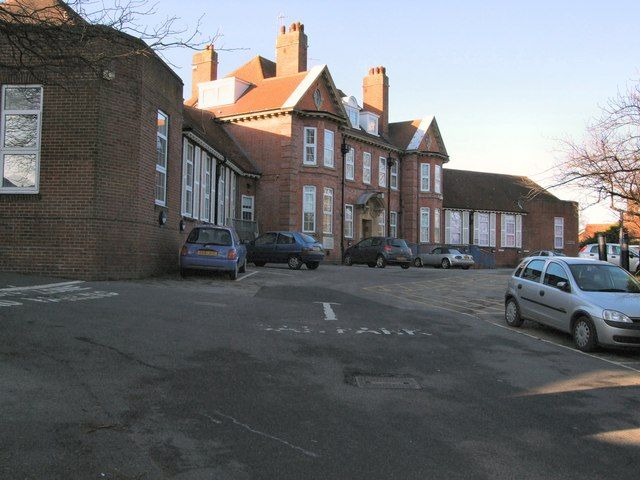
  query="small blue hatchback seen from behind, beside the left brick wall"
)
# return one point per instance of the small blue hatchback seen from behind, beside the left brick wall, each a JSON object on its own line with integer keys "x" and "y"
{"x": 213, "y": 248}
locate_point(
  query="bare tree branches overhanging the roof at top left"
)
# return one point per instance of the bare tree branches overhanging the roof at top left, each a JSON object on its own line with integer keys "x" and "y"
{"x": 49, "y": 38}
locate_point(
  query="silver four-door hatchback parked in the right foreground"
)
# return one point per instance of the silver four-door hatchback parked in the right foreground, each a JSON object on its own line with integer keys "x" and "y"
{"x": 596, "y": 302}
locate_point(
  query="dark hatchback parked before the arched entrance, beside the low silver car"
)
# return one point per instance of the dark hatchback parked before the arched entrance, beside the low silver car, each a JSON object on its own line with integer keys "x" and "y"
{"x": 379, "y": 252}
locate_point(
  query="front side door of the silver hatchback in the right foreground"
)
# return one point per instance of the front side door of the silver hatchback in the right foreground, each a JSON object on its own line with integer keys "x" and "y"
{"x": 556, "y": 297}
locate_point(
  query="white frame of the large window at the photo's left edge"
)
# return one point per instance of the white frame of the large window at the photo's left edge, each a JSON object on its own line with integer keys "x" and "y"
{"x": 21, "y": 150}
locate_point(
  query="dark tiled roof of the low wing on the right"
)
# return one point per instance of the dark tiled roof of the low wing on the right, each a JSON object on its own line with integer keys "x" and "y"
{"x": 469, "y": 190}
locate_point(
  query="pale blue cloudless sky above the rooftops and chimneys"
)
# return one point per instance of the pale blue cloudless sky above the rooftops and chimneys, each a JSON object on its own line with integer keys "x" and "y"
{"x": 508, "y": 82}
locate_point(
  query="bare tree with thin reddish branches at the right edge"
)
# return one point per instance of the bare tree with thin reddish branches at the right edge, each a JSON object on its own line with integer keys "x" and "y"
{"x": 607, "y": 162}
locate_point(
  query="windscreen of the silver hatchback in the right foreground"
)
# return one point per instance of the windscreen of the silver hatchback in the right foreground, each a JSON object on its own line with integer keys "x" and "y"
{"x": 603, "y": 278}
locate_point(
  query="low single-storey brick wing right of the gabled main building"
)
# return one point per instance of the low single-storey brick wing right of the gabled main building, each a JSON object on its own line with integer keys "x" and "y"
{"x": 501, "y": 218}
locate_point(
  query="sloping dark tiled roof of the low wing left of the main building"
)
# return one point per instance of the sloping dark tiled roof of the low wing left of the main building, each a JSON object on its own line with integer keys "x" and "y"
{"x": 203, "y": 124}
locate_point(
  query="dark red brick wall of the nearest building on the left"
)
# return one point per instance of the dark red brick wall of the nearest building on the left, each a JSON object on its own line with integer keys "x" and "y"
{"x": 94, "y": 216}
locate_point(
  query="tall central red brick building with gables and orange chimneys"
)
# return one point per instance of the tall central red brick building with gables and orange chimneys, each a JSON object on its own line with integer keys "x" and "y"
{"x": 330, "y": 167}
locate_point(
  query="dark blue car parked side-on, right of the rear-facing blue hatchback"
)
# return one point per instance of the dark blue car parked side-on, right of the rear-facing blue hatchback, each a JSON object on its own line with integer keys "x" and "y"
{"x": 292, "y": 248}
